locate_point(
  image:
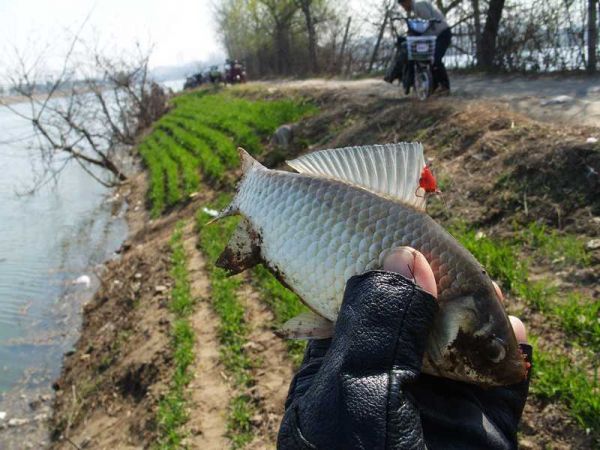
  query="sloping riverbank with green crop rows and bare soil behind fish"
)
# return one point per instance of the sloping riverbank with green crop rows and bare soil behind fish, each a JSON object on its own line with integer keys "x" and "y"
{"x": 513, "y": 192}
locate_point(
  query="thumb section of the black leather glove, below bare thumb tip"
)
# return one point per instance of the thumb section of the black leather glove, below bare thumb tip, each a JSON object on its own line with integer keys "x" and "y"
{"x": 357, "y": 397}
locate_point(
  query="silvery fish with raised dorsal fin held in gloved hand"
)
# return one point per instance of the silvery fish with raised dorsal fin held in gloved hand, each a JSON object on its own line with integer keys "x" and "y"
{"x": 339, "y": 215}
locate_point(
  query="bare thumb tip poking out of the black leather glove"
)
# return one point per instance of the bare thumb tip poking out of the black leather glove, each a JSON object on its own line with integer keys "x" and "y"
{"x": 411, "y": 264}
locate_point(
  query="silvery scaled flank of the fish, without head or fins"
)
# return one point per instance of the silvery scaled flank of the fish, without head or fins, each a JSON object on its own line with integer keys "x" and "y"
{"x": 298, "y": 241}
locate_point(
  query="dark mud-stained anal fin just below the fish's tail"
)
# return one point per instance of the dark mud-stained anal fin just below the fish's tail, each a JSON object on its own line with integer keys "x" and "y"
{"x": 242, "y": 251}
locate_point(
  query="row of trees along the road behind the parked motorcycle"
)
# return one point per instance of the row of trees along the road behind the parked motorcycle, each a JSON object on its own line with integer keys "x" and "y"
{"x": 506, "y": 34}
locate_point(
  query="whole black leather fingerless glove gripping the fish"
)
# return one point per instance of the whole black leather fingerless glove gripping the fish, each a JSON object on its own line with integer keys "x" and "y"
{"x": 363, "y": 388}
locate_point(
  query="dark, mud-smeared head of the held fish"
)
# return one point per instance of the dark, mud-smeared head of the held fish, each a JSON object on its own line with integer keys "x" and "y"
{"x": 472, "y": 340}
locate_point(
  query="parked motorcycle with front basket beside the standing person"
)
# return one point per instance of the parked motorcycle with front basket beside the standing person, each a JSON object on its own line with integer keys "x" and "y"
{"x": 414, "y": 57}
